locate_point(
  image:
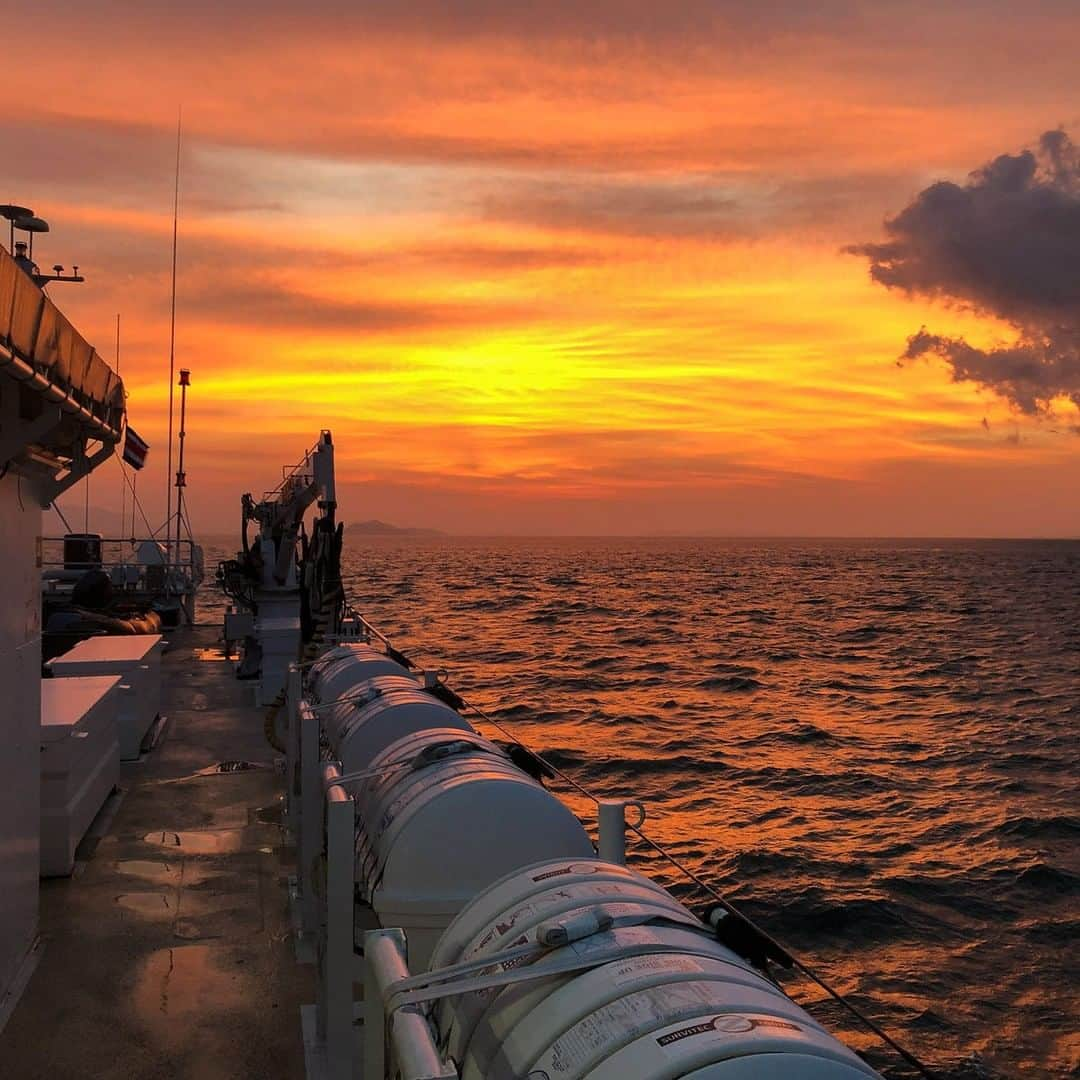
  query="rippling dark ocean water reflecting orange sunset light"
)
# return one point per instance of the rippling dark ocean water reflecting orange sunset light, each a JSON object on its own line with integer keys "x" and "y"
{"x": 871, "y": 748}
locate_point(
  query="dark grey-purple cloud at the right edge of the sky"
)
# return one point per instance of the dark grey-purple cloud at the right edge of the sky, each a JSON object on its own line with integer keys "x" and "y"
{"x": 1007, "y": 245}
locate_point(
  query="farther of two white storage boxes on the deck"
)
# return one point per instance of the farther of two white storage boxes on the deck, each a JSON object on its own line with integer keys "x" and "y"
{"x": 138, "y": 659}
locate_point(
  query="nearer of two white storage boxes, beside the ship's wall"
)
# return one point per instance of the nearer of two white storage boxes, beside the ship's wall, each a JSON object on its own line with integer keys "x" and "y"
{"x": 80, "y": 762}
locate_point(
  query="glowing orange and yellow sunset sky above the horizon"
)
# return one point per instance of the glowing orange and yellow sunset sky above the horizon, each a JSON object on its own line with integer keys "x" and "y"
{"x": 570, "y": 267}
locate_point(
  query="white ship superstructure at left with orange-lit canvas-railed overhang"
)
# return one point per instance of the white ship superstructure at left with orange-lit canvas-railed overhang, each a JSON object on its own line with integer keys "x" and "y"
{"x": 62, "y": 415}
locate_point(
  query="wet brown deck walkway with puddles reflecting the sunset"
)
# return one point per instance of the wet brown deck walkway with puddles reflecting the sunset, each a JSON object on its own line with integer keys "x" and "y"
{"x": 170, "y": 954}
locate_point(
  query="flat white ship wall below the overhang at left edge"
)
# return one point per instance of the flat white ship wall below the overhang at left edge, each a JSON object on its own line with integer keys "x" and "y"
{"x": 20, "y": 725}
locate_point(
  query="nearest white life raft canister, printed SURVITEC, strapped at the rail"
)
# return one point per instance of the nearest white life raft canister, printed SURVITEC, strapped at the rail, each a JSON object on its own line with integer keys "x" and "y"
{"x": 651, "y": 994}
